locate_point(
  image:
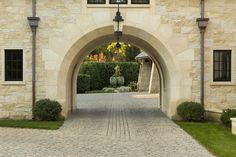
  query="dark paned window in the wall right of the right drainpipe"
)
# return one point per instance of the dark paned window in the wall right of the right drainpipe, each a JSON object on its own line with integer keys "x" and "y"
{"x": 222, "y": 65}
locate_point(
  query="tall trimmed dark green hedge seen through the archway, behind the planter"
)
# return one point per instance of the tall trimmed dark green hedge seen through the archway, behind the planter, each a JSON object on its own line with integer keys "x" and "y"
{"x": 100, "y": 73}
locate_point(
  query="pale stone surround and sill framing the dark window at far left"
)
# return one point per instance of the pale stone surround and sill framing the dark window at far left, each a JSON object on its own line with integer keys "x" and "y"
{"x": 4, "y": 82}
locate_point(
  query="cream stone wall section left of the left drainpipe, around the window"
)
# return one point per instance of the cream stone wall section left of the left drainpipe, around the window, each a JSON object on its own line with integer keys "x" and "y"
{"x": 15, "y": 99}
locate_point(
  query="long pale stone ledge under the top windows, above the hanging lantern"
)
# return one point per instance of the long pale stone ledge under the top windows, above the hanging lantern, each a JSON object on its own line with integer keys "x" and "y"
{"x": 121, "y": 5}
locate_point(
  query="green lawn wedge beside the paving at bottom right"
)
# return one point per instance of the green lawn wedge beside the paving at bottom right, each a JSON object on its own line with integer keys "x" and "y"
{"x": 215, "y": 137}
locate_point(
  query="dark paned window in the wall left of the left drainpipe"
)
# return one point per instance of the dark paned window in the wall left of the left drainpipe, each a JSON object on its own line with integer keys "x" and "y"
{"x": 13, "y": 65}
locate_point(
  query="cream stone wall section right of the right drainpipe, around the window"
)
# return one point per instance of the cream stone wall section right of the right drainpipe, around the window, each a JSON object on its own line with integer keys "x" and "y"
{"x": 221, "y": 34}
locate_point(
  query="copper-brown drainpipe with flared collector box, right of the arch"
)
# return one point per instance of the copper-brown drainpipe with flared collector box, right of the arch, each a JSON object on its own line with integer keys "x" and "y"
{"x": 202, "y": 24}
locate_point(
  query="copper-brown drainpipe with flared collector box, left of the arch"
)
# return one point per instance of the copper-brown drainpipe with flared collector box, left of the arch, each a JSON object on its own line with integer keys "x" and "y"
{"x": 33, "y": 23}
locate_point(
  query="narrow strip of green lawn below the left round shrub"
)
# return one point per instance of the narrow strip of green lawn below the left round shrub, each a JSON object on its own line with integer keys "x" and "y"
{"x": 49, "y": 125}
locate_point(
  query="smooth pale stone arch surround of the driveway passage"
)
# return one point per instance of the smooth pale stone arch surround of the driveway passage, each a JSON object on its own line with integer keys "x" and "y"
{"x": 160, "y": 54}
